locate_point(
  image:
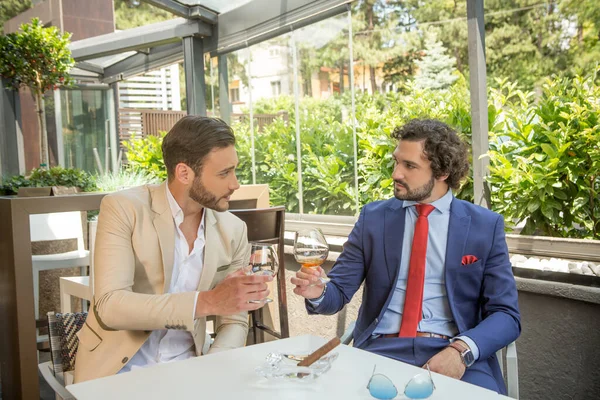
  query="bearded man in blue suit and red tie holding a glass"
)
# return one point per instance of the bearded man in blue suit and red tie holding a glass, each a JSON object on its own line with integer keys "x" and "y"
{"x": 463, "y": 307}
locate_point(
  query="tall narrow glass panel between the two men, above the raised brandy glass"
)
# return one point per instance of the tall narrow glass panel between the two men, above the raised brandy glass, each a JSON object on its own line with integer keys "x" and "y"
{"x": 325, "y": 117}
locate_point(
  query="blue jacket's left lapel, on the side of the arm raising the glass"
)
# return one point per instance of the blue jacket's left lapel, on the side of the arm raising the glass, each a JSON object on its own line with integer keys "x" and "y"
{"x": 393, "y": 233}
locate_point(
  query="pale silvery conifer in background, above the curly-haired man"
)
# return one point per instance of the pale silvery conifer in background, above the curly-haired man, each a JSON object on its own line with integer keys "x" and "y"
{"x": 435, "y": 69}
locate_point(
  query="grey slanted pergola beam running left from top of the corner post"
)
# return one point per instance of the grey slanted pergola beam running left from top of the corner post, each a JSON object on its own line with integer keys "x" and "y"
{"x": 135, "y": 39}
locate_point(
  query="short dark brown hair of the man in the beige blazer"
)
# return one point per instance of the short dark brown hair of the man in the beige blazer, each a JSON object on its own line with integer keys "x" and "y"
{"x": 191, "y": 139}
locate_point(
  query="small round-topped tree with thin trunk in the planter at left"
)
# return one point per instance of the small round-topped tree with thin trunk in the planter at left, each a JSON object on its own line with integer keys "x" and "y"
{"x": 37, "y": 58}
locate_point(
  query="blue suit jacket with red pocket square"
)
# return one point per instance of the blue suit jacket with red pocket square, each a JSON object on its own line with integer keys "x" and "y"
{"x": 482, "y": 295}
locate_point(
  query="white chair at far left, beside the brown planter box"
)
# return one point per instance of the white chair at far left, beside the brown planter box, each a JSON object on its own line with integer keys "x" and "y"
{"x": 57, "y": 226}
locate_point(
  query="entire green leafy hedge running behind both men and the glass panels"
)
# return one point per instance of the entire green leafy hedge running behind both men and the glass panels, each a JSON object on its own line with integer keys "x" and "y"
{"x": 544, "y": 154}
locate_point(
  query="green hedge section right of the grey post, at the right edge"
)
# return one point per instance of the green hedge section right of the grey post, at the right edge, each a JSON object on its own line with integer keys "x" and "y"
{"x": 545, "y": 157}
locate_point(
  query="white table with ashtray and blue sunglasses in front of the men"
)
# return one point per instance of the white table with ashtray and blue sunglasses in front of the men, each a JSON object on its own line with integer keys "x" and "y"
{"x": 230, "y": 375}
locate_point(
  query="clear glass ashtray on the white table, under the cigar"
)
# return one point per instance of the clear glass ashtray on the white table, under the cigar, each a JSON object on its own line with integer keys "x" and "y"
{"x": 283, "y": 366}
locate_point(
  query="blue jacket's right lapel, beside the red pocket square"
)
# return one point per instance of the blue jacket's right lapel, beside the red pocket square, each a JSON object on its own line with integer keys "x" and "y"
{"x": 458, "y": 231}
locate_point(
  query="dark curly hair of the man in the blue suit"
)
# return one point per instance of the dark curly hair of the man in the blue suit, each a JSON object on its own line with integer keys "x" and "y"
{"x": 443, "y": 148}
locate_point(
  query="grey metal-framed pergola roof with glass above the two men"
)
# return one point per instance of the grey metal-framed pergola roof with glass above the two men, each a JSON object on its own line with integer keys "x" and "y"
{"x": 222, "y": 26}
